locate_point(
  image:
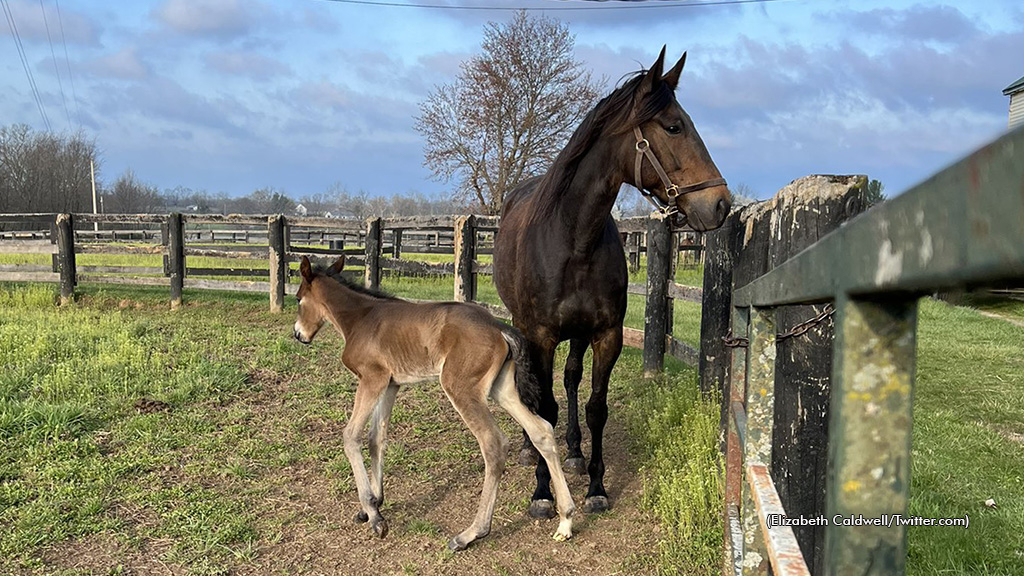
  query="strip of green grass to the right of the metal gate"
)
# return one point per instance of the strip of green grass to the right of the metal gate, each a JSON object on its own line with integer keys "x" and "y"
{"x": 968, "y": 443}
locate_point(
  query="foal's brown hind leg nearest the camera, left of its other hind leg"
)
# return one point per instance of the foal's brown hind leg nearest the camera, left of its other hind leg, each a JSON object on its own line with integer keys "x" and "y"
{"x": 474, "y": 409}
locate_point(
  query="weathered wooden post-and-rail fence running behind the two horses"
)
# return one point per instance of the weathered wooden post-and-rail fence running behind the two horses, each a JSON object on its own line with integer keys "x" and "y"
{"x": 378, "y": 245}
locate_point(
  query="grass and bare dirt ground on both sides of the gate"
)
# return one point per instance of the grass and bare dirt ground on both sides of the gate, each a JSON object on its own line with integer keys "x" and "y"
{"x": 238, "y": 469}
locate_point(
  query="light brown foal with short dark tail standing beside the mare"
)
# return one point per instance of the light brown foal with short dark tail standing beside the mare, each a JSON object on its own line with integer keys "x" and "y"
{"x": 391, "y": 343}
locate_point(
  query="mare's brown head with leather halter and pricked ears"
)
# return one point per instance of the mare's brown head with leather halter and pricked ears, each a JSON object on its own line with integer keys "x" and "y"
{"x": 691, "y": 182}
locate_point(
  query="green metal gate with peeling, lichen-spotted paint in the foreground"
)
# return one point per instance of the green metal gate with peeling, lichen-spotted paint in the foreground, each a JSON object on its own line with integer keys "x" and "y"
{"x": 962, "y": 229}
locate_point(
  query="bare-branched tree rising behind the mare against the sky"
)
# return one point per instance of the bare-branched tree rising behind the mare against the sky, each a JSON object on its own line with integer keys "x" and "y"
{"x": 510, "y": 111}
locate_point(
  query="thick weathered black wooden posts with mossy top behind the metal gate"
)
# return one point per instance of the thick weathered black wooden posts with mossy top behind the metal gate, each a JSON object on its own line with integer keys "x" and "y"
{"x": 753, "y": 241}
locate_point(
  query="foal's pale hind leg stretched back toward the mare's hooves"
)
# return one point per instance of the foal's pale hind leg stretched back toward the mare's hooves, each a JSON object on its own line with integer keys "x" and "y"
{"x": 544, "y": 438}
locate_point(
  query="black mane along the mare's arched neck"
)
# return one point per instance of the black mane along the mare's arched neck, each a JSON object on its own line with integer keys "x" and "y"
{"x": 616, "y": 114}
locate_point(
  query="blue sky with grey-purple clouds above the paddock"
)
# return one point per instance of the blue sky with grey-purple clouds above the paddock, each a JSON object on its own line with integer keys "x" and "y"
{"x": 233, "y": 96}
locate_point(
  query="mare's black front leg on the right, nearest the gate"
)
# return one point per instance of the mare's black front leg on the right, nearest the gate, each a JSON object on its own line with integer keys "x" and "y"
{"x": 608, "y": 346}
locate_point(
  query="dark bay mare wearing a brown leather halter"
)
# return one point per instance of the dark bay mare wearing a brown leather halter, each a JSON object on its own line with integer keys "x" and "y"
{"x": 559, "y": 261}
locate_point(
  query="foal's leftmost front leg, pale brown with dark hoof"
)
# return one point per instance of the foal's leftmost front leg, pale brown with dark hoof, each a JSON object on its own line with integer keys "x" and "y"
{"x": 368, "y": 395}
